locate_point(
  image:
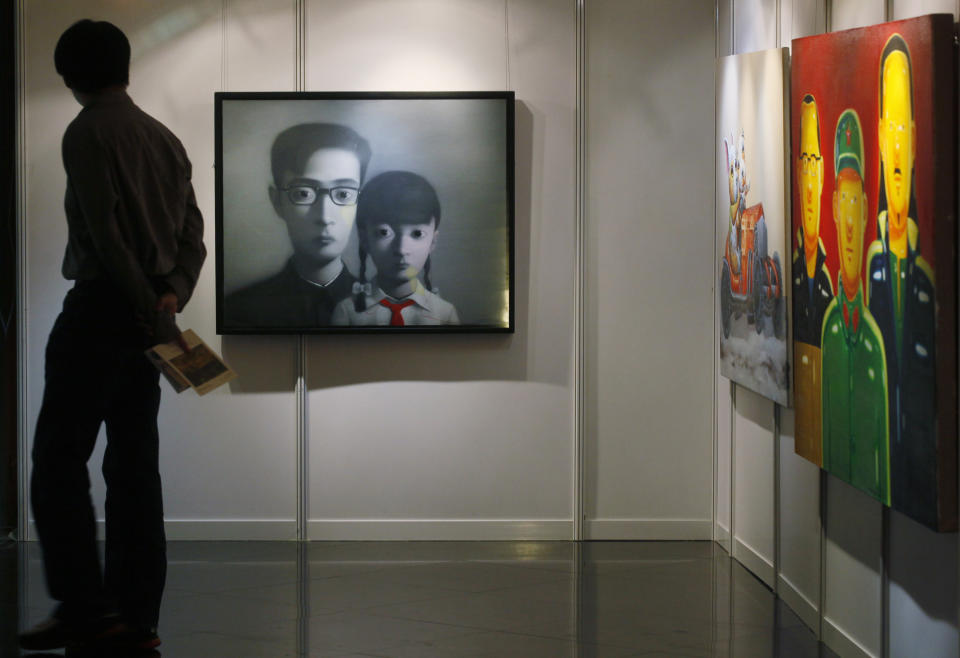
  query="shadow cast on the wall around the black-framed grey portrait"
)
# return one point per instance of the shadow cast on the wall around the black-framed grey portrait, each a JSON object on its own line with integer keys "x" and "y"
{"x": 268, "y": 363}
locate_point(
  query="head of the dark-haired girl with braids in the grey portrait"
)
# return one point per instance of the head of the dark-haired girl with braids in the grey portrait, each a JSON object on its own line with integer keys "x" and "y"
{"x": 398, "y": 222}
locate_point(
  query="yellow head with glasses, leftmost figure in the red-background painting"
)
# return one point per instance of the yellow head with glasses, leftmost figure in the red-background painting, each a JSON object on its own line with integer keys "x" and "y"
{"x": 810, "y": 179}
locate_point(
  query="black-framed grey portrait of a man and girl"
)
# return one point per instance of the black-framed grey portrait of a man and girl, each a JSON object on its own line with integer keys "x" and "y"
{"x": 461, "y": 143}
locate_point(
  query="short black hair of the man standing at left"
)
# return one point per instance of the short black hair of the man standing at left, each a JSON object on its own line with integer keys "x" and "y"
{"x": 93, "y": 55}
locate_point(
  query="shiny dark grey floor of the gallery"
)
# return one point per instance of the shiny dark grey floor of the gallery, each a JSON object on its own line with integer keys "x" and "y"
{"x": 433, "y": 599}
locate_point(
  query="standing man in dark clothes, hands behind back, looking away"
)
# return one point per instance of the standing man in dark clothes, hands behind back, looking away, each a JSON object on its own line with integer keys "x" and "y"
{"x": 134, "y": 251}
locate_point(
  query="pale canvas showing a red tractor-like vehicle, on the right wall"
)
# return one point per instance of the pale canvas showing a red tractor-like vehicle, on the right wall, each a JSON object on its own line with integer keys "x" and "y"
{"x": 751, "y": 223}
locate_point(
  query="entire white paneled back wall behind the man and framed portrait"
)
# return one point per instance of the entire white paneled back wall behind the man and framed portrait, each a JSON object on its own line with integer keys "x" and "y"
{"x": 419, "y": 436}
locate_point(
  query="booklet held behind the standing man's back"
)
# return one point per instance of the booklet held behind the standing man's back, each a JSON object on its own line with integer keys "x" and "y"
{"x": 200, "y": 368}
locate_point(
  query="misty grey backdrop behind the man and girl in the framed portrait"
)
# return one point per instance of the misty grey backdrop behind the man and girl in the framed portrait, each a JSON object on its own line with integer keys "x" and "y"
{"x": 459, "y": 145}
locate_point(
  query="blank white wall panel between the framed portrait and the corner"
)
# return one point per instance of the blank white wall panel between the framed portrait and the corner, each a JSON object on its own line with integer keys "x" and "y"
{"x": 647, "y": 258}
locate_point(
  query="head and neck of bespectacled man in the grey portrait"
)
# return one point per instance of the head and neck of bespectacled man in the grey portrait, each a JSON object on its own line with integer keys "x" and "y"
{"x": 317, "y": 172}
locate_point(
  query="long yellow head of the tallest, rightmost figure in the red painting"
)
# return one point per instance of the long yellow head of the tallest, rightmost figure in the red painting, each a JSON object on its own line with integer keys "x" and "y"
{"x": 897, "y": 135}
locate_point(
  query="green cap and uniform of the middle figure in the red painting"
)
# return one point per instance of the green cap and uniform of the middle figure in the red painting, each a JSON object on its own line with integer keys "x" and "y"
{"x": 854, "y": 397}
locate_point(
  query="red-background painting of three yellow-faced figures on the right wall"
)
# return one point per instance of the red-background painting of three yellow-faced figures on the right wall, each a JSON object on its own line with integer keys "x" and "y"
{"x": 873, "y": 158}
